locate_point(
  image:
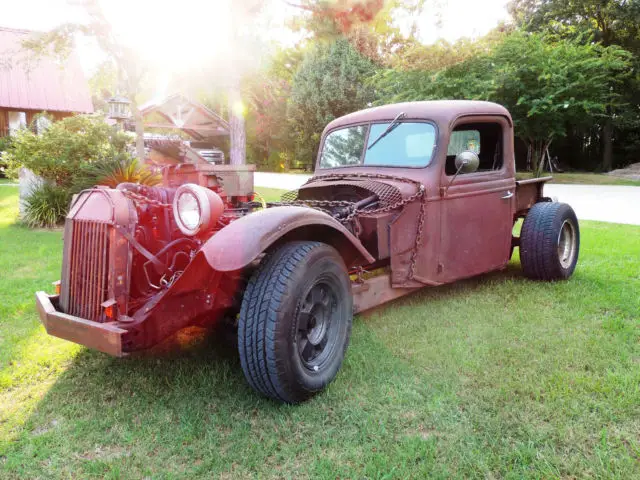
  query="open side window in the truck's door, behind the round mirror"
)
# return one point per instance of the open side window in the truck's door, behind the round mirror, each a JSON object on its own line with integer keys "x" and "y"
{"x": 485, "y": 139}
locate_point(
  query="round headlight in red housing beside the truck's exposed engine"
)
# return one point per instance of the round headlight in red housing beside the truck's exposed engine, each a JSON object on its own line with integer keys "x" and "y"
{"x": 196, "y": 209}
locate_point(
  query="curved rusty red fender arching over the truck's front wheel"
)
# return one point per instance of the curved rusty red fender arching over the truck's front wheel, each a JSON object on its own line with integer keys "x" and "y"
{"x": 239, "y": 243}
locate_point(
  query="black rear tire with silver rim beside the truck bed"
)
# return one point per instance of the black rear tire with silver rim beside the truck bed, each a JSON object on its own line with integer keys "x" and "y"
{"x": 549, "y": 242}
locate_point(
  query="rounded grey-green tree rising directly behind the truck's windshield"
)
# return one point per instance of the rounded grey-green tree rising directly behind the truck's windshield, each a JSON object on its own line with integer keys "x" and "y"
{"x": 331, "y": 82}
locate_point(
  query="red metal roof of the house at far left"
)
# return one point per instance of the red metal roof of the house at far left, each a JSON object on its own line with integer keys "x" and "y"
{"x": 44, "y": 84}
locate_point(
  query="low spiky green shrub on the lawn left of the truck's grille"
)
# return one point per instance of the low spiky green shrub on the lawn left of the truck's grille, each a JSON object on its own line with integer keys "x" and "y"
{"x": 46, "y": 205}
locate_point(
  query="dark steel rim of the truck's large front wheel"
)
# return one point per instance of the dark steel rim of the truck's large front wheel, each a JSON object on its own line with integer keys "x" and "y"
{"x": 317, "y": 326}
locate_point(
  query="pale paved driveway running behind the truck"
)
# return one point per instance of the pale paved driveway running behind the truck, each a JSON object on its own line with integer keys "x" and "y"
{"x": 606, "y": 203}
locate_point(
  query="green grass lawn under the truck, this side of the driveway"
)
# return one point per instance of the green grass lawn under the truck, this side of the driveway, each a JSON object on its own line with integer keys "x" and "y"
{"x": 494, "y": 377}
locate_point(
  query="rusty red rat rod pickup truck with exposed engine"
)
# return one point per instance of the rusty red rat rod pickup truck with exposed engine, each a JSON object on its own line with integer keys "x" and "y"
{"x": 404, "y": 196}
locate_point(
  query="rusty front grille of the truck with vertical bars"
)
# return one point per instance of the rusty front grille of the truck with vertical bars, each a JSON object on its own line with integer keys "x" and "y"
{"x": 85, "y": 288}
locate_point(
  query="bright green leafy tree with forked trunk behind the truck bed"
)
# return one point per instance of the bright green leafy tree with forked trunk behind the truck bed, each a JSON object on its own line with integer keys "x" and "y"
{"x": 549, "y": 85}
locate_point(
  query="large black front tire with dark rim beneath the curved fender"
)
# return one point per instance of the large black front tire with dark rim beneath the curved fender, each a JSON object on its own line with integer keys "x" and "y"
{"x": 295, "y": 321}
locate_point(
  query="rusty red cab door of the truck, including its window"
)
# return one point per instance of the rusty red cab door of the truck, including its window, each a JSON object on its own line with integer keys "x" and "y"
{"x": 476, "y": 218}
